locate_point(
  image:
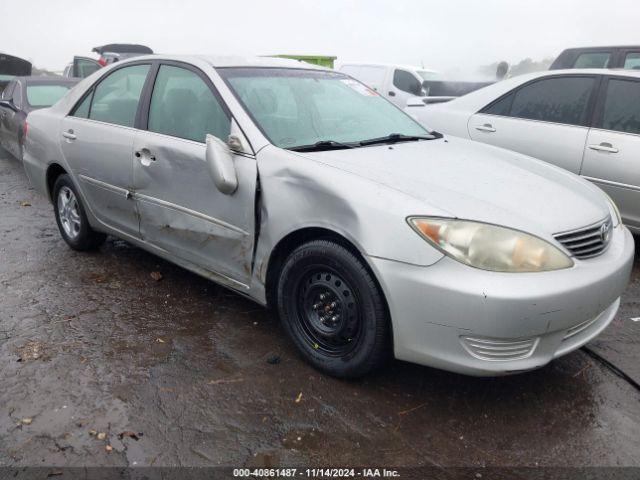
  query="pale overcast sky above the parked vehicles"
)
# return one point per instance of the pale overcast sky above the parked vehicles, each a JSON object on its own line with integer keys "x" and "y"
{"x": 439, "y": 34}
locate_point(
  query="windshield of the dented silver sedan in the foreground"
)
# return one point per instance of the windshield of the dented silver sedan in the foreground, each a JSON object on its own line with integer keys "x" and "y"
{"x": 302, "y": 107}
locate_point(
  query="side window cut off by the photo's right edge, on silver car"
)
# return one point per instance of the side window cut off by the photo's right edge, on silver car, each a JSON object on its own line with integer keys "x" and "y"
{"x": 622, "y": 106}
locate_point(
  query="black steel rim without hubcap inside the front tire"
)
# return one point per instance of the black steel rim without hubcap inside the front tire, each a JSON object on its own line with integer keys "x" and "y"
{"x": 328, "y": 312}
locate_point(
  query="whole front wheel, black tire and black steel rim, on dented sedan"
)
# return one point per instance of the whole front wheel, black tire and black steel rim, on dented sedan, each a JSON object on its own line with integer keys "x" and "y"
{"x": 332, "y": 308}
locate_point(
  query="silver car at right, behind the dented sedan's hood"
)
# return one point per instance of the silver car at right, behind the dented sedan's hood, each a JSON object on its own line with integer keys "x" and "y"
{"x": 585, "y": 121}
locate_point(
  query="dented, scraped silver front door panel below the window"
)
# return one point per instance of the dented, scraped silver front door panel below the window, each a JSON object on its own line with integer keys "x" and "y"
{"x": 183, "y": 213}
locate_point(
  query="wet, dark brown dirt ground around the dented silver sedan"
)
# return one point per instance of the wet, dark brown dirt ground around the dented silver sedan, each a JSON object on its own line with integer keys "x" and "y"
{"x": 101, "y": 364}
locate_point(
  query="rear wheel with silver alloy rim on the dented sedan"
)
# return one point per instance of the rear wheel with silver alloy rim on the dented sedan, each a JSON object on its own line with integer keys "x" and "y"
{"x": 71, "y": 217}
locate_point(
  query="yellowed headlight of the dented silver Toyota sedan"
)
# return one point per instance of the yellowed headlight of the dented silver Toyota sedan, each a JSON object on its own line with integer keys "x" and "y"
{"x": 490, "y": 247}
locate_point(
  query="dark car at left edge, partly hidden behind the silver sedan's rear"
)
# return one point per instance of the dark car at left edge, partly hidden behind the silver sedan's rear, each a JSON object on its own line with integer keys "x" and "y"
{"x": 24, "y": 95}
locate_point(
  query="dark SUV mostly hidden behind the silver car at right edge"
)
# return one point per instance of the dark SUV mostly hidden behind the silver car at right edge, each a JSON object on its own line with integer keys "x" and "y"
{"x": 598, "y": 57}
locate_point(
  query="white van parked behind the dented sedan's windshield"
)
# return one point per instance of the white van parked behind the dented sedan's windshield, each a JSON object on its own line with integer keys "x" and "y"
{"x": 397, "y": 83}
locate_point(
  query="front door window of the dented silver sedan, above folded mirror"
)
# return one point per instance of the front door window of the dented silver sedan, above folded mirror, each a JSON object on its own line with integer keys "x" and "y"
{"x": 183, "y": 105}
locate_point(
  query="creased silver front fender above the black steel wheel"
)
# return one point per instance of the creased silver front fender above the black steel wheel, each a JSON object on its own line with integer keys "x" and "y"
{"x": 297, "y": 192}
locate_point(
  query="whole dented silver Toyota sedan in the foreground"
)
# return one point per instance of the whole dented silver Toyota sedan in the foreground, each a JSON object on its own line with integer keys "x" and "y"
{"x": 301, "y": 188}
